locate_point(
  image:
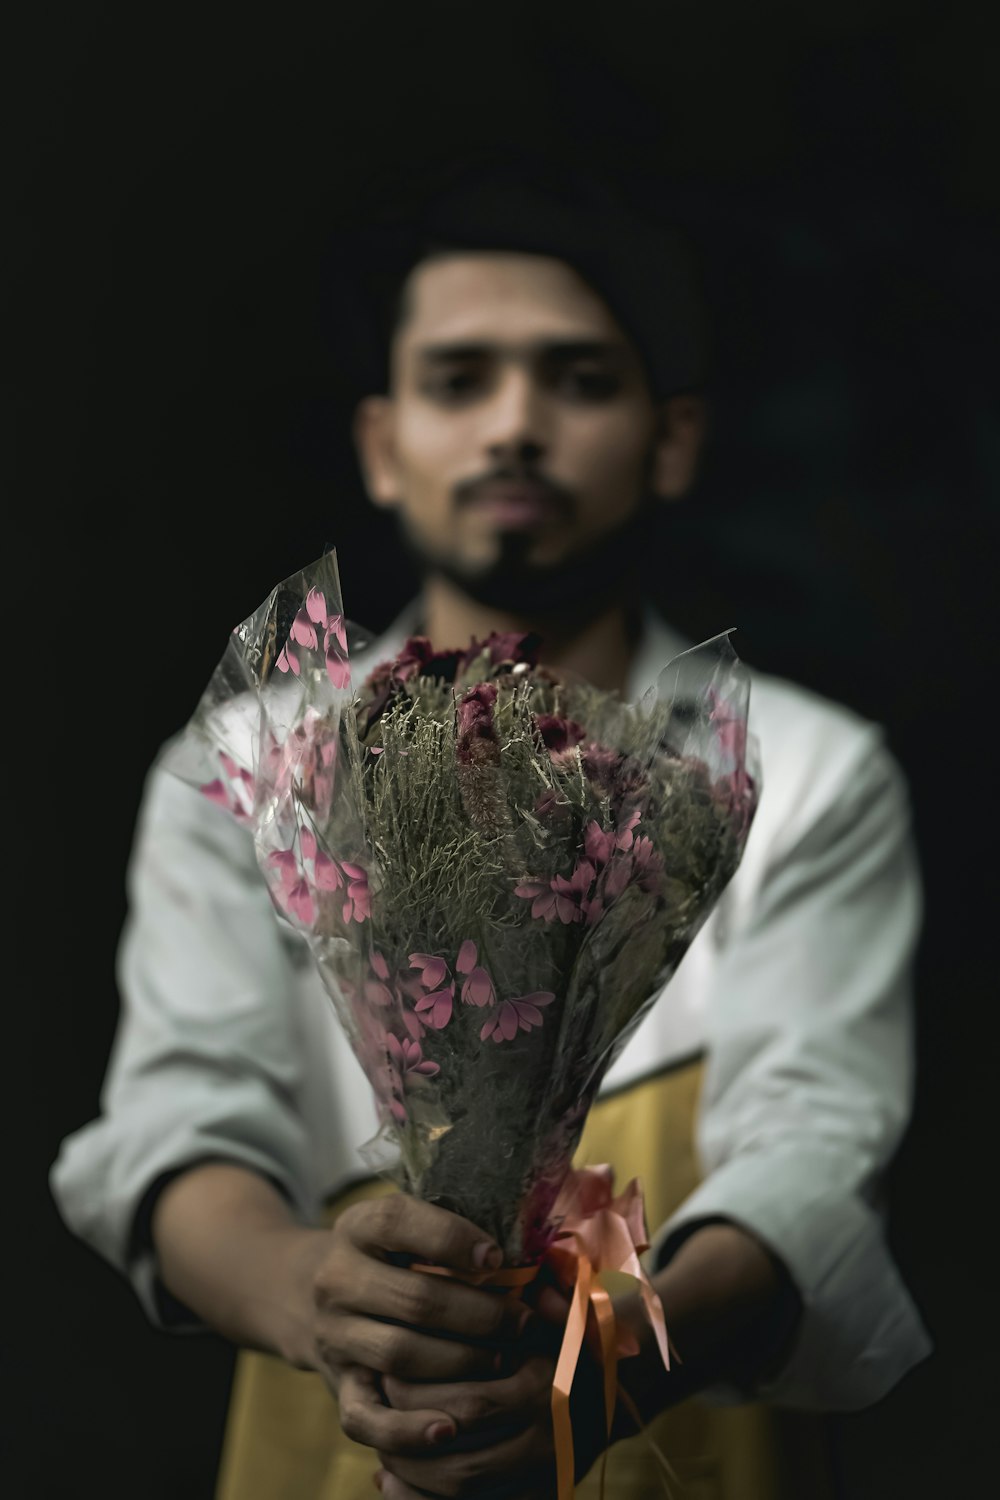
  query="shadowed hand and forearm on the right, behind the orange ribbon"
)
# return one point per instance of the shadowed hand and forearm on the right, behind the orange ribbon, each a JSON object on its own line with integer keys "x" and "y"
{"x": 729, "y": 1312}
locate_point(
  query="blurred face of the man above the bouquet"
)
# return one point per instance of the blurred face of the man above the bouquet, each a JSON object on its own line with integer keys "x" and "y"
{"x": 519, "y": 427}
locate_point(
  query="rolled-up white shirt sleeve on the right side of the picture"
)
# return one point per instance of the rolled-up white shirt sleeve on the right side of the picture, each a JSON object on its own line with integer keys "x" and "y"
{"x": 810, "y": 1081}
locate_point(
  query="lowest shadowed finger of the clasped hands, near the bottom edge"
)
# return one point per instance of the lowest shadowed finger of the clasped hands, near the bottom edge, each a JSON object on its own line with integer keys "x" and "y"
{"x": 522, "y": 1462}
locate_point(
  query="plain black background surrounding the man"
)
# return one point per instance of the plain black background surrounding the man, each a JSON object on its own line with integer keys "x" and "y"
{"x": 184, "y": 443}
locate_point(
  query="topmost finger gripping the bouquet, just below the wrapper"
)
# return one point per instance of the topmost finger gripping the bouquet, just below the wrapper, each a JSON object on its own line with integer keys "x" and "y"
{"x": 401, "y": 1225}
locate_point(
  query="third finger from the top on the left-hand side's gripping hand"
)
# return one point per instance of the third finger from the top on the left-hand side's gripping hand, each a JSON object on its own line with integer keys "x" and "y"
{"x": 395, "y": 1351}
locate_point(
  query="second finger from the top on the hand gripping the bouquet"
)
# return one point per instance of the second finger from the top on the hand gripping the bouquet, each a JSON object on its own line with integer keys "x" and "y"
{"x": 356, "y": 1283}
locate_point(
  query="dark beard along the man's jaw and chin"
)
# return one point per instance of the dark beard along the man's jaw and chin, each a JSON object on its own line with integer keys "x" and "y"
{"x": 608, "y": 574}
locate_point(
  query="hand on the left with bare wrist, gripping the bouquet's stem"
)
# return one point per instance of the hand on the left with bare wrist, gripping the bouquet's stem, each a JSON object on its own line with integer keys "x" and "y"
{"x": 340, "y": 1301}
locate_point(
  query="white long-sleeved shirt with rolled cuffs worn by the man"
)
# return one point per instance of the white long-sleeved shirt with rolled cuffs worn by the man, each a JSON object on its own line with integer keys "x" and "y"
{"x": 798, "y": 989}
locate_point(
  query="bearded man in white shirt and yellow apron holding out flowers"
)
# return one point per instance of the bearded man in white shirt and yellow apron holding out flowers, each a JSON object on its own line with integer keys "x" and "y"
{"x": 524, "y": 439}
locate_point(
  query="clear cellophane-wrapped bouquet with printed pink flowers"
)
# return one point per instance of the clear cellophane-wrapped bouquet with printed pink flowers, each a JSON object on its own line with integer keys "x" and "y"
{"x": 497, "y": 869}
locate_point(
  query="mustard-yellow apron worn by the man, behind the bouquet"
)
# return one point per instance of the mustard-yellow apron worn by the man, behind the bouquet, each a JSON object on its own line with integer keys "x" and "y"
{"x": 284, "y": 1442}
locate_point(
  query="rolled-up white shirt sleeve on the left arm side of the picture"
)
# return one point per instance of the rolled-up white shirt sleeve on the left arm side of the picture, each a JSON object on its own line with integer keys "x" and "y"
{"x": 205, "y": 1063}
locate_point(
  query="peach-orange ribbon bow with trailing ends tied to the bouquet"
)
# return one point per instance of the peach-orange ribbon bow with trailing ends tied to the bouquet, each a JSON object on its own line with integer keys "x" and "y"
{"x": 597, "y": 1232}
